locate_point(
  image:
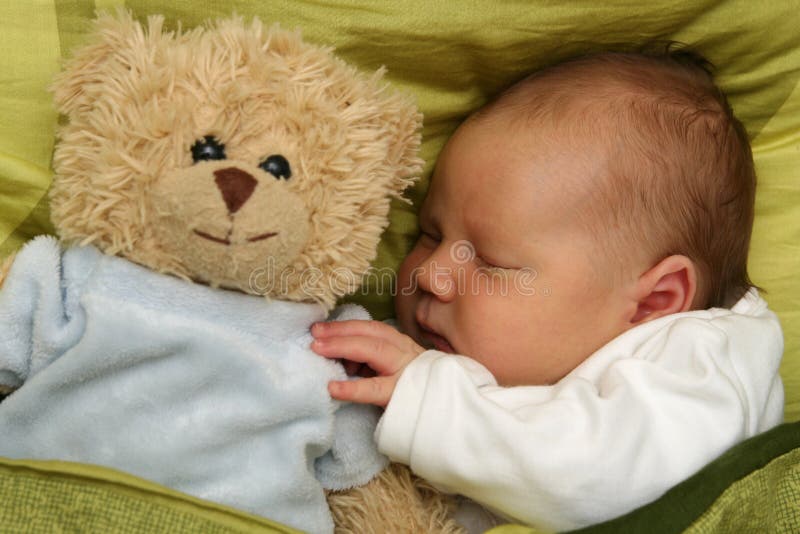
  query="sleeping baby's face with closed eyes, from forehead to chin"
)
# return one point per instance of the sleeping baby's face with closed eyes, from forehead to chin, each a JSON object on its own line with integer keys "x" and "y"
{"x": 502, "y": 272}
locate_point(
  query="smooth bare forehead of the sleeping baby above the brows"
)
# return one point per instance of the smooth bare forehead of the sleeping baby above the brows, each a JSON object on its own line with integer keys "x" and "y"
{"x": 493, "y": 171}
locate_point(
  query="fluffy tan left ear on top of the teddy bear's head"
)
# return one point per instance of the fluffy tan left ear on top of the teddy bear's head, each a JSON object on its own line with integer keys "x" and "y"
{"x": 87, "y": 69}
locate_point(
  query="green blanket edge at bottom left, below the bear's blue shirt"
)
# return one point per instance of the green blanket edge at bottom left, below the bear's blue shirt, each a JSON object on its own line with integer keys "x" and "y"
{"x": 64, "y": 497}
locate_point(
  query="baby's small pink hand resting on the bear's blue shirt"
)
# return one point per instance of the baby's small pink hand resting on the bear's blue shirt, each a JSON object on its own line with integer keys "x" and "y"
{"x": 385, "y": 350}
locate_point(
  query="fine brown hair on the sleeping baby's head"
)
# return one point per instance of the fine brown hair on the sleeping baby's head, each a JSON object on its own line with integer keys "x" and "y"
{"x": 680, "y": 176}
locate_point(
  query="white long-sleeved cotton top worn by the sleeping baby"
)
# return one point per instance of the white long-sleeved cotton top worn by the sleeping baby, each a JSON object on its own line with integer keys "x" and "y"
{"x": 582, "y": 451}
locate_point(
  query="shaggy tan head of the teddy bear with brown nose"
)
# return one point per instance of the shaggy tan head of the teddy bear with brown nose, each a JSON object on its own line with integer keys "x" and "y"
{"x": 232, "y": 155}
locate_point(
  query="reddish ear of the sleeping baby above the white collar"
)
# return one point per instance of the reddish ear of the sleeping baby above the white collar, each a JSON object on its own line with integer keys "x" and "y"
{"x": 668, "y": 287}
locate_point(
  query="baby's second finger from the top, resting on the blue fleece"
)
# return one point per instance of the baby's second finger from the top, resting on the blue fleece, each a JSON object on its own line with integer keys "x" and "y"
{"x": 382, "y": 356}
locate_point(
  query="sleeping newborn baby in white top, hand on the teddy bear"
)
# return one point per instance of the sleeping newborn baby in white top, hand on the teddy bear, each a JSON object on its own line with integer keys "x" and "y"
{"x": 579, "y": 329}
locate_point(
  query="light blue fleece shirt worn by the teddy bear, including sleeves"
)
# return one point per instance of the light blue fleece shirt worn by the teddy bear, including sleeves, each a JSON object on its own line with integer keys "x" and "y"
{"x": 211, "y": 392}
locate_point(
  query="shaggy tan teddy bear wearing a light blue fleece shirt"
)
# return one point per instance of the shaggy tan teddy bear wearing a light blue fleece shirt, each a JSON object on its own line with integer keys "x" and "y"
{"x": 216, "y": 191}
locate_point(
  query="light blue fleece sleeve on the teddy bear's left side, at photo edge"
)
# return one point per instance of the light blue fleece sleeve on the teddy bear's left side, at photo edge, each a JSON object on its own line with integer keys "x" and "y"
{"x": 39, "y": 315}
